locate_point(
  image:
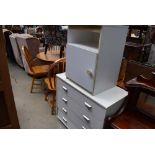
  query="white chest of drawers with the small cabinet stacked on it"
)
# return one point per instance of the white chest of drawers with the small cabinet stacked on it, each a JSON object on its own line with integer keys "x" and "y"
{"x": 79, "y": 109}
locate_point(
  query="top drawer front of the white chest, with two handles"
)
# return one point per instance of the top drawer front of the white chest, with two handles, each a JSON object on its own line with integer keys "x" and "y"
{"x": 64, "y": 90}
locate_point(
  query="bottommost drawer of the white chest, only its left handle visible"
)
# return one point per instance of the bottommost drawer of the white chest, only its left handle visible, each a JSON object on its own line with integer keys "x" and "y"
{"x": 65, "y": 120}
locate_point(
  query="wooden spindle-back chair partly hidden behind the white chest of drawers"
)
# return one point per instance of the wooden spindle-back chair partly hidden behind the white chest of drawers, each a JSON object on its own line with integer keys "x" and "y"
{"x": 57, "y": 67}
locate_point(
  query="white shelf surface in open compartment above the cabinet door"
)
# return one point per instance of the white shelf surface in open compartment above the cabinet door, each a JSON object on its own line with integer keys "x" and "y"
{"x": 89, "y": 46}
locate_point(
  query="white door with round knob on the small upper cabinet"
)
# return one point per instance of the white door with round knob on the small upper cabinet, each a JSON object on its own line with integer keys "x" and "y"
{"x": 80, "y": 66}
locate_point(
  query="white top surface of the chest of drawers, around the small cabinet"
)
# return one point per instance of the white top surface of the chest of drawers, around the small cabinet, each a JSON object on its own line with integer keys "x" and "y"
{"x": 104, "y": 99}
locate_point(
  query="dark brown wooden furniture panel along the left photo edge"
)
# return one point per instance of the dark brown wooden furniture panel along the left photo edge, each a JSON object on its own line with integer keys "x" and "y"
{"x": 8, "y": 114}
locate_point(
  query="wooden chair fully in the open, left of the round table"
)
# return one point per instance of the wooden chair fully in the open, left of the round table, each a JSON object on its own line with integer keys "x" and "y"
{"x": 36, "y": 71}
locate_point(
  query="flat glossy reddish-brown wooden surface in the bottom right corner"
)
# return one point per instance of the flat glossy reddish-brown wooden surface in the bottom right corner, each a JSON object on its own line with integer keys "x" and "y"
{"x": 132, "y": 120}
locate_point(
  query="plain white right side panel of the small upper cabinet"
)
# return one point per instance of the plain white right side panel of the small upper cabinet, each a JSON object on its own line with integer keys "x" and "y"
{"x": 111, "y": 49}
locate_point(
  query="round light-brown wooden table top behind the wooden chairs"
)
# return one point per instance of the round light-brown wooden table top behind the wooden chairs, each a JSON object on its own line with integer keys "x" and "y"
{"x": 50, "y": 56}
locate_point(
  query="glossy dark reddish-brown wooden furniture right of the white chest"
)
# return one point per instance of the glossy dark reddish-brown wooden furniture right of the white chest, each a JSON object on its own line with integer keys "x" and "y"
{"x": 138, "y": 110}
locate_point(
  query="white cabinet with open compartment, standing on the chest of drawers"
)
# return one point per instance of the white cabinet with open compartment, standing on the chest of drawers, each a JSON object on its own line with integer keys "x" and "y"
{"x": 94, "y": 55}
